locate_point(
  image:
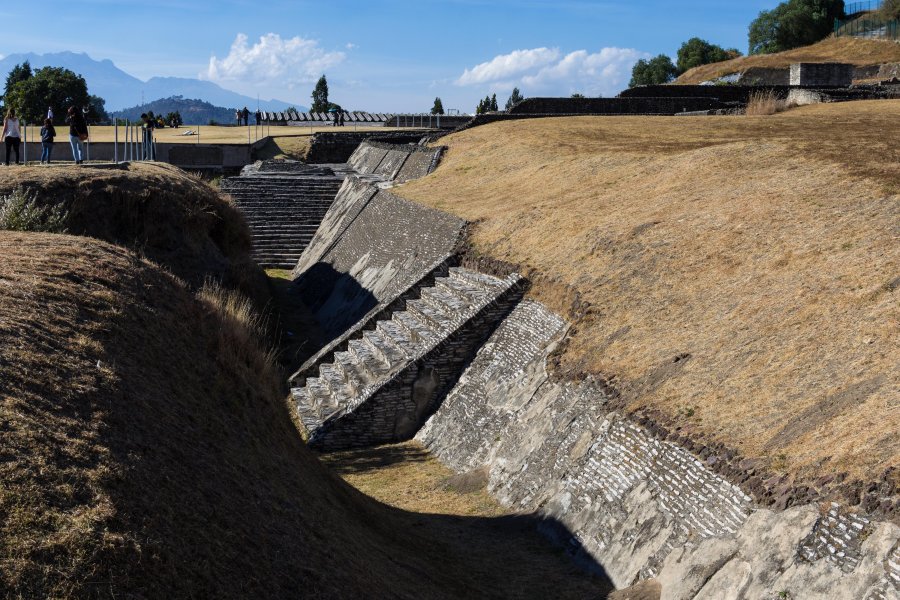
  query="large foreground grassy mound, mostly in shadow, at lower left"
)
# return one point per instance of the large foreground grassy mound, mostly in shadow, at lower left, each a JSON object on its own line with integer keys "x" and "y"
{"x": 147, "y": 453}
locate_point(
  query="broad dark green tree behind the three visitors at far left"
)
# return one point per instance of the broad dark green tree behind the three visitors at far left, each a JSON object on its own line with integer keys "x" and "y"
{"x": 58, "y": 88}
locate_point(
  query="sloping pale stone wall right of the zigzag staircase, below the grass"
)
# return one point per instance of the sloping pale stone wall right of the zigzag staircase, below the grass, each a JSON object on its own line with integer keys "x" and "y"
{"x": 638, "y": 506}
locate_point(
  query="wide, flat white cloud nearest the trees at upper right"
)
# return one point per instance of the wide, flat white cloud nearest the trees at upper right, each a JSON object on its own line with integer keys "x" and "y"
{"x": 542, "y": 71}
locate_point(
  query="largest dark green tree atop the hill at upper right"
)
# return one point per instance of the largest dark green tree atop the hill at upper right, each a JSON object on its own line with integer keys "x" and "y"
{"x": 793, "y": 24}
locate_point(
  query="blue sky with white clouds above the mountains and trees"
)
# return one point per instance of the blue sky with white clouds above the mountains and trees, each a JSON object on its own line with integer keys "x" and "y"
{"x": 381, "y": 55}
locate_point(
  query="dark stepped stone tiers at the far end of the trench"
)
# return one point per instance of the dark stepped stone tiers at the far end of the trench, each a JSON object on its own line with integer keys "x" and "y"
{"x": 283, "y": 212}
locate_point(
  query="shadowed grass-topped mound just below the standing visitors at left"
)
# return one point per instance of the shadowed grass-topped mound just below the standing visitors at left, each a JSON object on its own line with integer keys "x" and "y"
{"x": 169, "y": 216}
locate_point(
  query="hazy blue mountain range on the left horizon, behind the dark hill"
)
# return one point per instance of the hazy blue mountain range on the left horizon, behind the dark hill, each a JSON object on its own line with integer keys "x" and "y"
{"x": 121, "y": 90}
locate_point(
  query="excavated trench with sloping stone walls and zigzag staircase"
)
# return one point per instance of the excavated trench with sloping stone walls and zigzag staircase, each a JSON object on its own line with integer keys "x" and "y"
{"x": 414, "y": 342}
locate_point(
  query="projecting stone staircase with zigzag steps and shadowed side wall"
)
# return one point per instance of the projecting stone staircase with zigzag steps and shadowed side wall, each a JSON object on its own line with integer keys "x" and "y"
{"x": 384, "y": 382}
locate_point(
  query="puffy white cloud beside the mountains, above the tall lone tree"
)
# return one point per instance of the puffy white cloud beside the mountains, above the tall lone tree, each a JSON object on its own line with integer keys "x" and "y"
{"x": 273, "y": 60}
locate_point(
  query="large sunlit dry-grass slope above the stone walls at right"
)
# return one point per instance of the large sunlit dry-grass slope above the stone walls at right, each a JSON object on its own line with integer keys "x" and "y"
{"x": 767, "y": 248}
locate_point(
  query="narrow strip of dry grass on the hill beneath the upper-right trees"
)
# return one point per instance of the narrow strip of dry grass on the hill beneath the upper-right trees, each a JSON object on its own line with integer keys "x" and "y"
{"x": 860, "y": 52}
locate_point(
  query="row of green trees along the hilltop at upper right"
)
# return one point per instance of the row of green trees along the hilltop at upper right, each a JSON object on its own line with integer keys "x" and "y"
{"x": 791, "y": 24}
